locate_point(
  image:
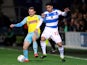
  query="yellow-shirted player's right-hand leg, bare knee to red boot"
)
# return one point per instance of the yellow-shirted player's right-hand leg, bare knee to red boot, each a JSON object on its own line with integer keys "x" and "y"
{"x": 35, "y": 45}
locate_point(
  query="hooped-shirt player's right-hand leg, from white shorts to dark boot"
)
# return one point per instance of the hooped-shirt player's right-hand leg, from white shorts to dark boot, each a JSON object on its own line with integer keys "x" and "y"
{"x": 56, "y": 37}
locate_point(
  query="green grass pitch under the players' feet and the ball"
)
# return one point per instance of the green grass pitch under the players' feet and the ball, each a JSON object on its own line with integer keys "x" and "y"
{"x": 9, "y": 57}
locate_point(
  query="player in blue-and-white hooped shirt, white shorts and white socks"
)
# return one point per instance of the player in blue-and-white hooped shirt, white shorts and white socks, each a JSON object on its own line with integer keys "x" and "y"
{"x": 51, "y": 29}
